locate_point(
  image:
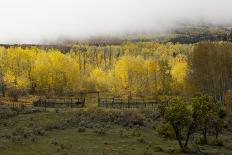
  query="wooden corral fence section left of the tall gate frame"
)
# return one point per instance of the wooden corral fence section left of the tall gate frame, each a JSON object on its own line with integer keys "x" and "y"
{"x": 60, "y": 103}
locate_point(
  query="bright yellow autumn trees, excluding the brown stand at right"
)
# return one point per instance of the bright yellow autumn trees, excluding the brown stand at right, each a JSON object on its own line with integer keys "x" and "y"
{"x": 138, "y": 69}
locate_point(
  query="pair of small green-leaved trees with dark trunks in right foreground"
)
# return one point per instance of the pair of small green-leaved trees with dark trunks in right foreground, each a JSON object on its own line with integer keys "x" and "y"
{"x": 199, "y": 114}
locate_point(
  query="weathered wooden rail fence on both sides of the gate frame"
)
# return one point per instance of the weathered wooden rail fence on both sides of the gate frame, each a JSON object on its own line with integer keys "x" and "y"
{"x": 111, "y": 103}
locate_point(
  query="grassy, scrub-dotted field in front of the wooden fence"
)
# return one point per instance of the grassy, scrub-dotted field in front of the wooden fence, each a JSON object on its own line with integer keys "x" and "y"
{"x": 91, "y": 131}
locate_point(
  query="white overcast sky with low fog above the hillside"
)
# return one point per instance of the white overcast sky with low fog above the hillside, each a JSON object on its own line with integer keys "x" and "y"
{"x": 34, "y": 21}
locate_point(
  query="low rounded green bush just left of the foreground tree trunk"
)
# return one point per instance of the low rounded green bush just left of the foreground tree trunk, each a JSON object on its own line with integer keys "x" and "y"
{"x": 166, "y": 130}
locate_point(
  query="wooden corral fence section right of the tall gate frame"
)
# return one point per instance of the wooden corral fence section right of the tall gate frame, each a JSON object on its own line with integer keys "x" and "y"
{"x": 120, "y": 103}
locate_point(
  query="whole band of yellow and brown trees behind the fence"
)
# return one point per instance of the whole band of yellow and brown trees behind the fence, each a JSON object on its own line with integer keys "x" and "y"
{"x": 142, "y": 69}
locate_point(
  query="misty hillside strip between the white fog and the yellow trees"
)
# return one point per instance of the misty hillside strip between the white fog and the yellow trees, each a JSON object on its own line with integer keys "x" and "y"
{"x": 186, "y": 34}
